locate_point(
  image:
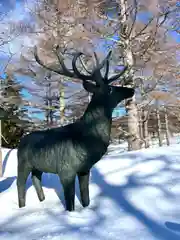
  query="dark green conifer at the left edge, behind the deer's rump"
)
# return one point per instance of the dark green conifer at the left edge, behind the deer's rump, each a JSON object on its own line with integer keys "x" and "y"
{"x": 11, "y": 112}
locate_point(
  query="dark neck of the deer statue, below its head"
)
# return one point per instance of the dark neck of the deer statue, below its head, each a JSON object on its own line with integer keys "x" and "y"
{"x": 98, "y": 119}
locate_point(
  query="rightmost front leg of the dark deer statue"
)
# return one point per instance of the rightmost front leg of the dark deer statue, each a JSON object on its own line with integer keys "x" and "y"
{"x": 84, "y": 187}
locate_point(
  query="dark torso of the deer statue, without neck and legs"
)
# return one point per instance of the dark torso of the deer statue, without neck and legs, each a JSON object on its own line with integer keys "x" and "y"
{"x": 67, "y": 147}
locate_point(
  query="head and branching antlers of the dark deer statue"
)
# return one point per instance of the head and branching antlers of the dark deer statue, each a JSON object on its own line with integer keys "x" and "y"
{"x": 94, "y": 82}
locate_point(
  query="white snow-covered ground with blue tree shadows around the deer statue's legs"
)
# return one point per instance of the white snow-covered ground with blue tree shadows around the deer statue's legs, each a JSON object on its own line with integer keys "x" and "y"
{"x": 134, "y": 195}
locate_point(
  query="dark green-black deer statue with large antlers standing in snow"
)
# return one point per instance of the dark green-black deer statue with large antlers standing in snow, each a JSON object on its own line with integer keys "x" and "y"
{"x": 73, "y": 149}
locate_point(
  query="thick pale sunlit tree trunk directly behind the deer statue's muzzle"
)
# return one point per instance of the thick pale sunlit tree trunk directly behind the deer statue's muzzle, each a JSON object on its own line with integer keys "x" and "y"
{"x": 131, "y": 108}
